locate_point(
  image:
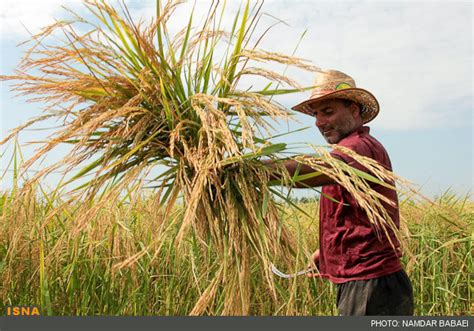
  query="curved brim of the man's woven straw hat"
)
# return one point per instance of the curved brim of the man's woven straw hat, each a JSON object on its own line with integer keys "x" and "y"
{"x": 356, "y": 94}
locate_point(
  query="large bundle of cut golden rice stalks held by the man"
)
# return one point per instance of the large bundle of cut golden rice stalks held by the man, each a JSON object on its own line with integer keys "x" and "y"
{"x": 131, "y": 97}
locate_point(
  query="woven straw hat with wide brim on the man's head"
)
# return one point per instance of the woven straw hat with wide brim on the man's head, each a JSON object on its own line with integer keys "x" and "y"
{"x": 332, "y": 84}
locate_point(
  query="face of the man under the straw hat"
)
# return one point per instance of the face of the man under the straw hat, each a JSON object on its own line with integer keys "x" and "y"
{"x": 334, "y": 120}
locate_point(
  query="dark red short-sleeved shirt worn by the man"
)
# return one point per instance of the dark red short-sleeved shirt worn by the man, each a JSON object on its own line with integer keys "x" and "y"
{"x": 349, "y": 246}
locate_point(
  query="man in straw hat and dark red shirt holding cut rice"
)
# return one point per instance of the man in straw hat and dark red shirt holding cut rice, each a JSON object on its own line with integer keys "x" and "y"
{"x": 366, "y": 269}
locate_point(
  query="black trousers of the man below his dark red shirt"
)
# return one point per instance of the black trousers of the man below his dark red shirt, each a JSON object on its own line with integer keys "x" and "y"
{"x": 387, "y": 295}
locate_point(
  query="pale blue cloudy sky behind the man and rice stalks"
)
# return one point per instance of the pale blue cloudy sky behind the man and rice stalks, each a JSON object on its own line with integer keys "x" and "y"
{"x": 416, "y": 57}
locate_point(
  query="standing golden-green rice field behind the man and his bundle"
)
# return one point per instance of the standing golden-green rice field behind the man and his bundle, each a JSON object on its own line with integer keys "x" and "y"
{"x": 74, "y": 262}
